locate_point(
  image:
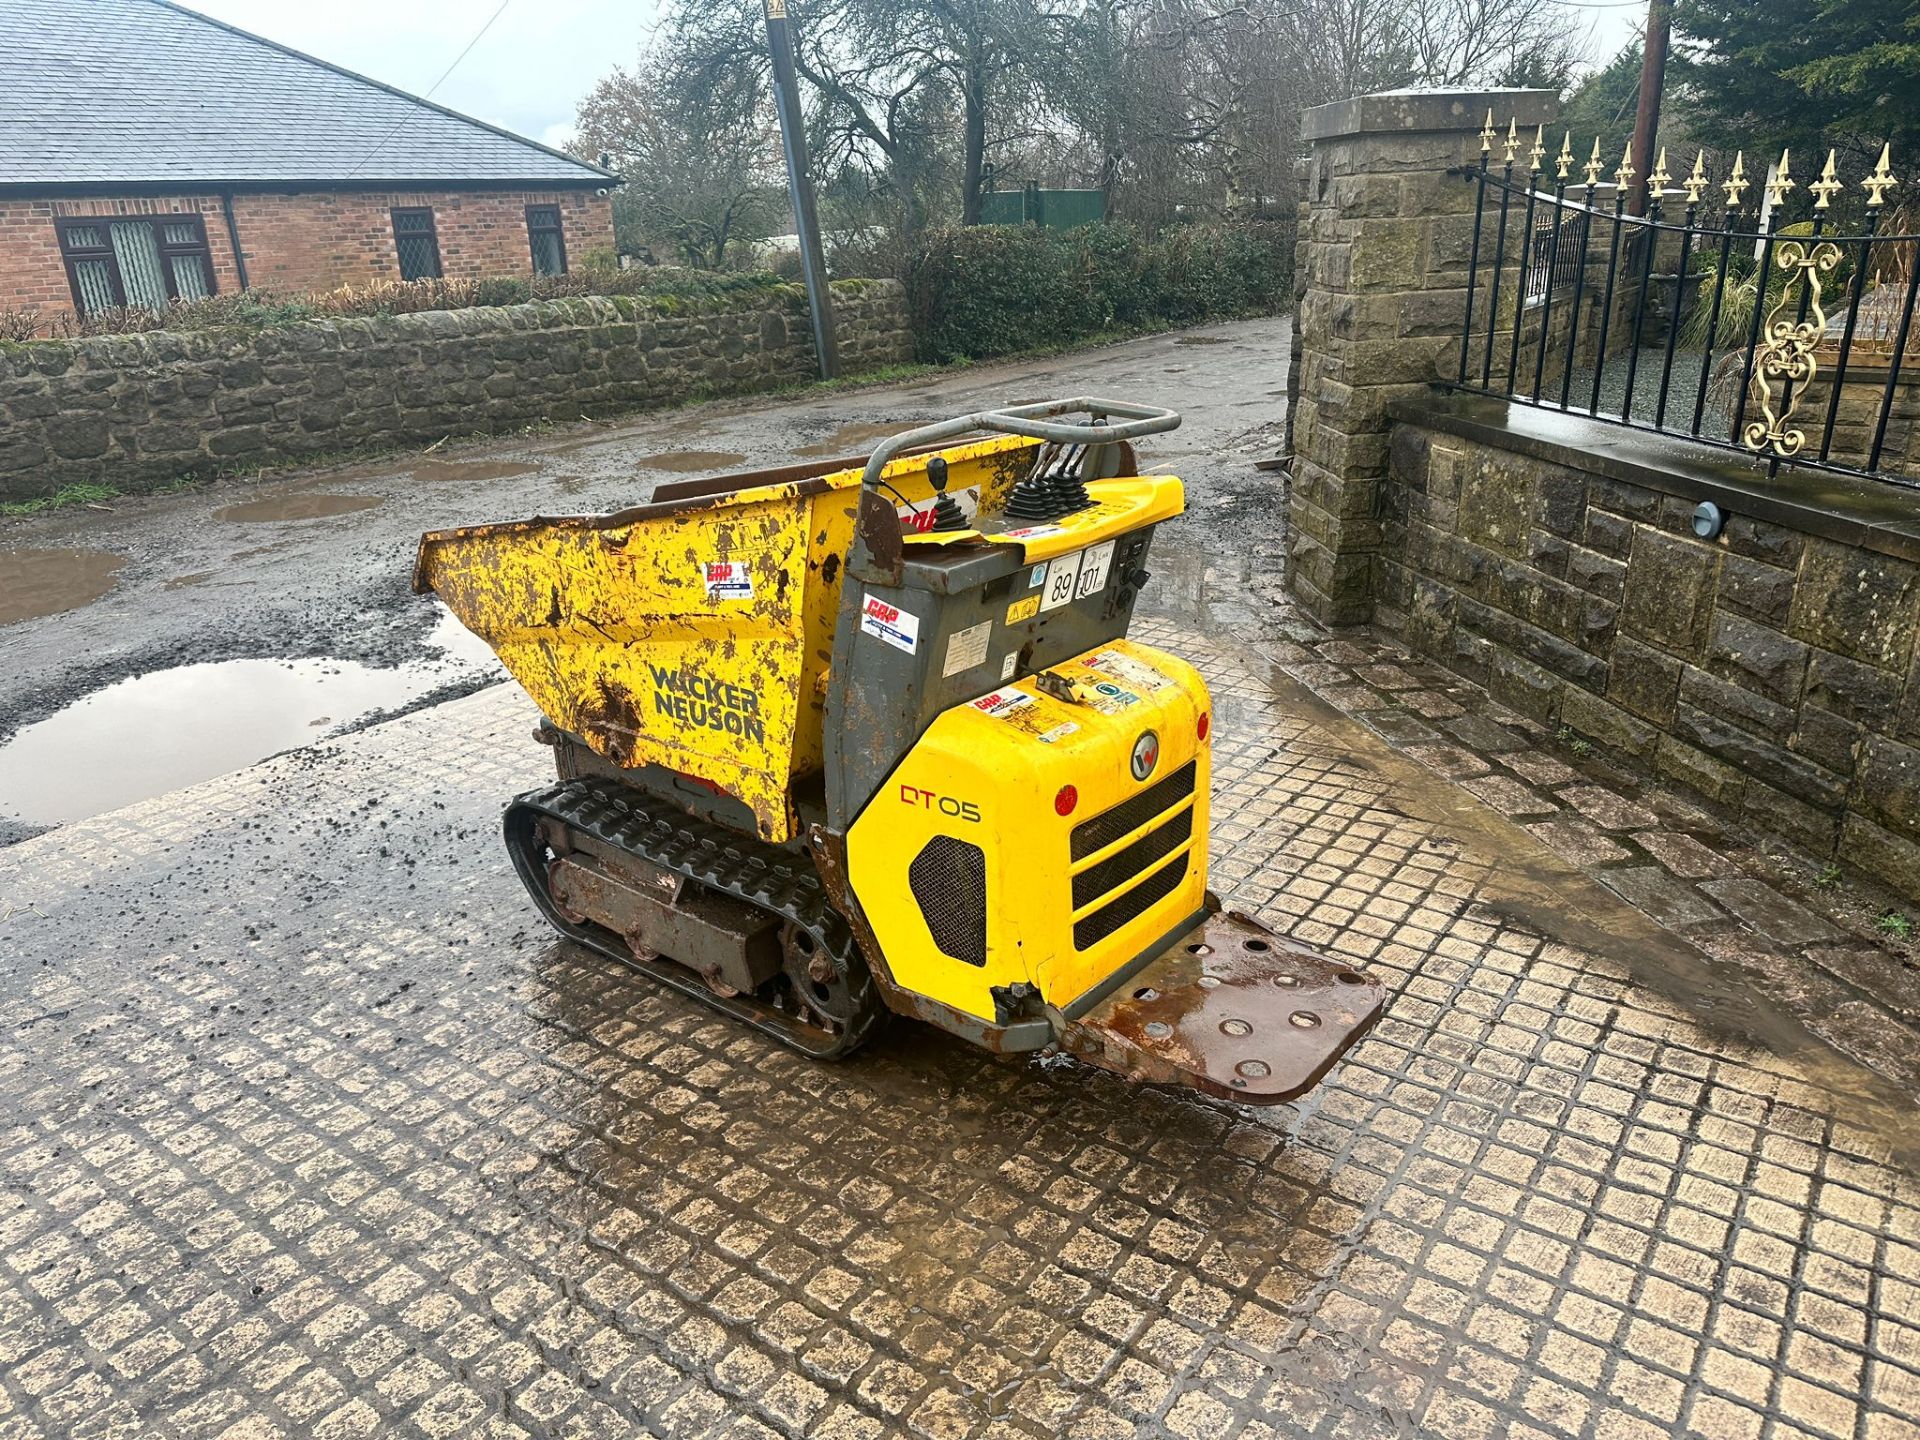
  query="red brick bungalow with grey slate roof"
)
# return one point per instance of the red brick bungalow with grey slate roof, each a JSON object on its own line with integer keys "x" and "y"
{"x": 153, "y": 155}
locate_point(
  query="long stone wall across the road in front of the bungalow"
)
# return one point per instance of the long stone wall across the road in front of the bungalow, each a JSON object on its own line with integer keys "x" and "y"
{"x": 145, "y": 410}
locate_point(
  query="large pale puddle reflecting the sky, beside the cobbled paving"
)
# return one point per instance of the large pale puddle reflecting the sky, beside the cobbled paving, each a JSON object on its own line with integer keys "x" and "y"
{"x": 172, "y": 729}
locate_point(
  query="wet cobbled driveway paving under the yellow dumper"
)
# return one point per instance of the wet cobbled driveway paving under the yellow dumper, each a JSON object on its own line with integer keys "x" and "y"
{"x": 310, "y": 1130}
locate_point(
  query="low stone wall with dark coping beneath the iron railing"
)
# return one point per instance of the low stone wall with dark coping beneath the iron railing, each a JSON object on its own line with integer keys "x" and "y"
{"x": 1771, "y": 669}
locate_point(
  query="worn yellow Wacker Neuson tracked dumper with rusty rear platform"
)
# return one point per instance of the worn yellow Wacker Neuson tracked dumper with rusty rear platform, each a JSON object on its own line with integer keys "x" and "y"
{"x": 869, "y": 736}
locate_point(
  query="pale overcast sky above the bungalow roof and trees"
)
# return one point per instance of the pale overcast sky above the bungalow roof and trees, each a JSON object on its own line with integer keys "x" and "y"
{"x": 542, "y": 57}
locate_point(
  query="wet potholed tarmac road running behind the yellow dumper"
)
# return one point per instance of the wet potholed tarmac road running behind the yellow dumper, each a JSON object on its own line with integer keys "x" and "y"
{"x": 316, "y": 565}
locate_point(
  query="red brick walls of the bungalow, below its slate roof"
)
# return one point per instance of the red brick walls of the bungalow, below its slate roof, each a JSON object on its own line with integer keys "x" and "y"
{"x": 308, "y": 241}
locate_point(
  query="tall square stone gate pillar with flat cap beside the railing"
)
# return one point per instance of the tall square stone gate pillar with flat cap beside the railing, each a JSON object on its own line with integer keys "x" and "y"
{"x": 1385, "y": 243}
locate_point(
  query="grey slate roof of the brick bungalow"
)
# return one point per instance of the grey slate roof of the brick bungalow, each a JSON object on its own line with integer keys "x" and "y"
{"x": 114, "y": 93}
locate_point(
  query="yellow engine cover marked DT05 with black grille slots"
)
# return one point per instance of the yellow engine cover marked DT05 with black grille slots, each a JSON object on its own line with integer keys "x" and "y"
{"x": 1068, "y": 898}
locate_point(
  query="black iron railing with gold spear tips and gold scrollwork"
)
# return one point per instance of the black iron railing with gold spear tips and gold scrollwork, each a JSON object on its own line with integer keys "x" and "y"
{"x": 1769, "y": 320}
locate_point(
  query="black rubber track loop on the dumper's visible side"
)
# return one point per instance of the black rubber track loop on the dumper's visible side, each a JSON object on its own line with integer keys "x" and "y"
{"x": 717, "y": 859}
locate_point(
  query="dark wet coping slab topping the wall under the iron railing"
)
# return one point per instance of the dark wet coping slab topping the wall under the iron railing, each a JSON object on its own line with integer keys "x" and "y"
{"x": 1869, "y": 514}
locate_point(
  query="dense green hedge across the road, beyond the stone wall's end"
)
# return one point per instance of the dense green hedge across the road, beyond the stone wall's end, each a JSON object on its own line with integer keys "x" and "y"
{"x": 997, "y": 289}
